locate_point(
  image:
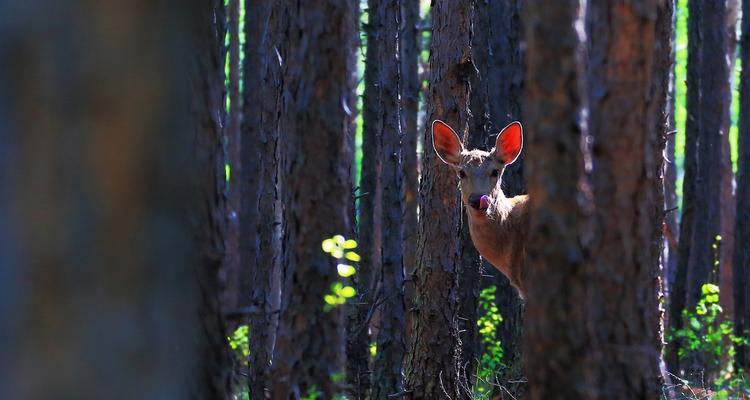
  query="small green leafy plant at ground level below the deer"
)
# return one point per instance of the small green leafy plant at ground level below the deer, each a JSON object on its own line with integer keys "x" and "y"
{"x": 491, "y": 360}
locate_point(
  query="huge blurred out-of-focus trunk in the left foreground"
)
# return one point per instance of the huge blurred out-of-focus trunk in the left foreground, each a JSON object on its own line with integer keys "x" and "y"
{"x": 114, "y": 148}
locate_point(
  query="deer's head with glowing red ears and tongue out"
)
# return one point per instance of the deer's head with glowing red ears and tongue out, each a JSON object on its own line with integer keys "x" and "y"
{"x": 478, "y": 171}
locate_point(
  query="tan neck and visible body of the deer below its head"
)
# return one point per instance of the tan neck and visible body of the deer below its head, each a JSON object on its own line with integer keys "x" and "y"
{"x": 499, "y": 234}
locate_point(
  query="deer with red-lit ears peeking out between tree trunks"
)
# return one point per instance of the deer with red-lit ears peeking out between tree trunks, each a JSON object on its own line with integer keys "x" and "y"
{"x": 498, "y": 225}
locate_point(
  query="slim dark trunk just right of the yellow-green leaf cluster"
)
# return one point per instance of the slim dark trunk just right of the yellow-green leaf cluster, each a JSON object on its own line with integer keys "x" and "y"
{"x": 387, "y": 375}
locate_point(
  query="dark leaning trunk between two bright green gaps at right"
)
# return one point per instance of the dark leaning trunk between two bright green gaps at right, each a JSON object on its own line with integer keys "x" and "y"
{"x": 707, "y": 70}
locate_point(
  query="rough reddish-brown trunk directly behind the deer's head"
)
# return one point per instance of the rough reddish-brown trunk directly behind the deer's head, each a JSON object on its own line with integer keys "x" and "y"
{"x": 433, "y": 363}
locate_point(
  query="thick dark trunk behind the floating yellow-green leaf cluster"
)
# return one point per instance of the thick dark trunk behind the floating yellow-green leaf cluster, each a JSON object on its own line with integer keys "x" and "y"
{"x": 315, "y": 193}
